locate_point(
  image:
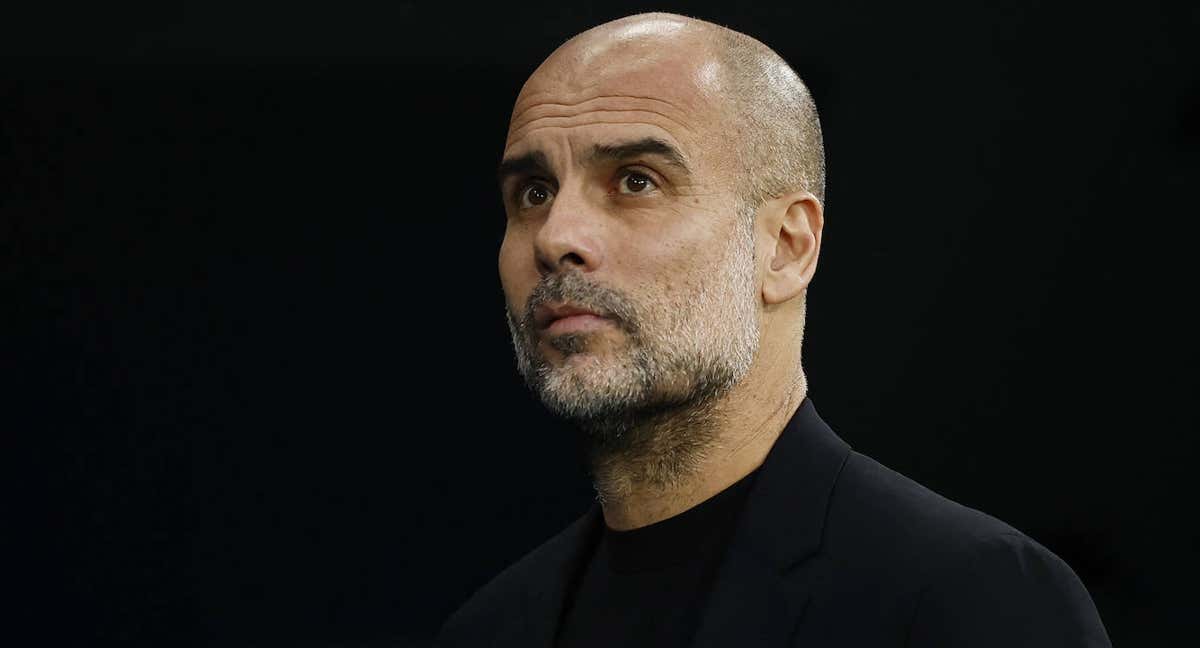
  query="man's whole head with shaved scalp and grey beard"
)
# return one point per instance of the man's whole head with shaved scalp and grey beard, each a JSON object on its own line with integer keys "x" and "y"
{"x": 662, "y": 181}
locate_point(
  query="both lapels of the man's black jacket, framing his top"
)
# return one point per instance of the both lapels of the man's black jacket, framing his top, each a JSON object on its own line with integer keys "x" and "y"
{"x": 758, "y": 595}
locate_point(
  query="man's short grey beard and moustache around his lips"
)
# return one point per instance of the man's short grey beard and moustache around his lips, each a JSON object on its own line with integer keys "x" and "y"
{"x": 635, "y": 429}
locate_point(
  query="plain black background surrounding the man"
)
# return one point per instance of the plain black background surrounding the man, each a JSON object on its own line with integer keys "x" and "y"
{"x": 259, "y": 386}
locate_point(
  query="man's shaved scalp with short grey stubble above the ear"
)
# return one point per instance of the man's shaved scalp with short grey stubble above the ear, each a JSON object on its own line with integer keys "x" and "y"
{"x": 766, "y": 110}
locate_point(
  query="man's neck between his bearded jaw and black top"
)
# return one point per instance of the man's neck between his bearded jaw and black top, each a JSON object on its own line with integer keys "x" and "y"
{"x": 667, "y": 463}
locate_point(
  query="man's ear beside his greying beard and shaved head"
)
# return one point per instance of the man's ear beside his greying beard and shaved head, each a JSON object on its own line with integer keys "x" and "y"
{"x": 794, "y": 225}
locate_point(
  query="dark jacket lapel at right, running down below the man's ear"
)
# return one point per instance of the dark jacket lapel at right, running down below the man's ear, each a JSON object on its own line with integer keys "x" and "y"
{"x": 767, "y": 578}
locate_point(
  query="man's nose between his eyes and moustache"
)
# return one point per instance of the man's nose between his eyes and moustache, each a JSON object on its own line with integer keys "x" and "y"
{"x": 569, "y": 237}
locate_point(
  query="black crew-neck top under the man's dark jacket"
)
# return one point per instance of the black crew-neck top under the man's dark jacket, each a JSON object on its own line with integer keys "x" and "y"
{"x": 647, "y": 586}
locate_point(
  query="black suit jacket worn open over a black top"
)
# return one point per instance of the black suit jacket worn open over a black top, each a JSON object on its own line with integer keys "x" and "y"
{"x": 832, "y": 549}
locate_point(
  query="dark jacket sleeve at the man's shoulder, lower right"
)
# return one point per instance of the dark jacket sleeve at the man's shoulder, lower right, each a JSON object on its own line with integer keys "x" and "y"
{"x": 1007, "y": 591}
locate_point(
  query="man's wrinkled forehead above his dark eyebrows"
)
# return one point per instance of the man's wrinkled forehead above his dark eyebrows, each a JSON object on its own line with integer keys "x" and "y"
{"x": 620, "y": 87}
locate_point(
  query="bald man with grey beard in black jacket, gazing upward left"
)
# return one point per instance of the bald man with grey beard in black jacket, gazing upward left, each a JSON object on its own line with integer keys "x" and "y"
{"x": 663, "y": 179}
